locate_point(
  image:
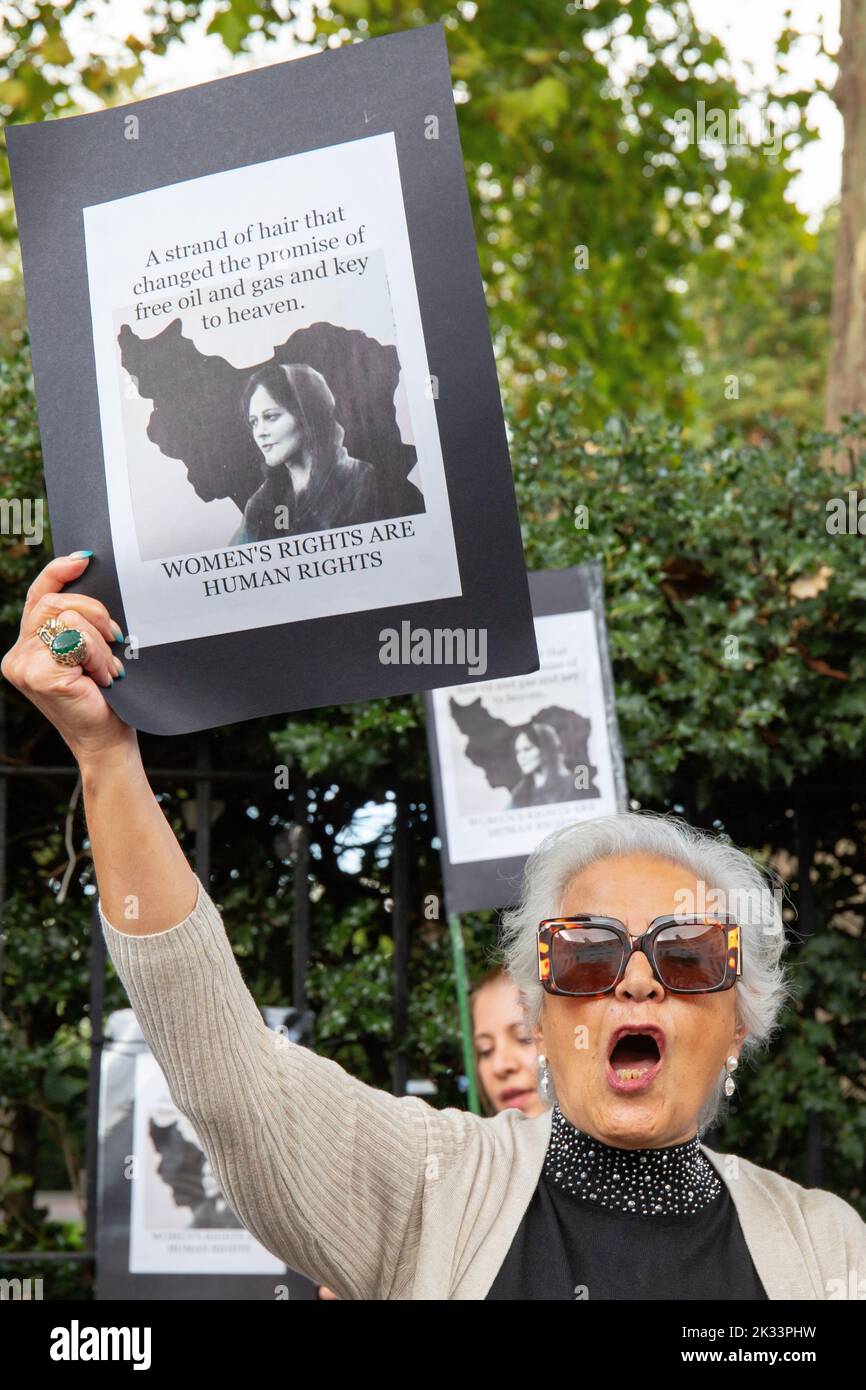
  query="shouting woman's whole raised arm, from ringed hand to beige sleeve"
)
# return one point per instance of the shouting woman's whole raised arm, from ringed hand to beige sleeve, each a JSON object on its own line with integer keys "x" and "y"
{"x": 327, "y": 1172}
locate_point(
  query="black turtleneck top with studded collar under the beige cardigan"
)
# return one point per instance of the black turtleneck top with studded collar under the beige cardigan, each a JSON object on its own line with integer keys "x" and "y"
{"x": 618, "y": 1224}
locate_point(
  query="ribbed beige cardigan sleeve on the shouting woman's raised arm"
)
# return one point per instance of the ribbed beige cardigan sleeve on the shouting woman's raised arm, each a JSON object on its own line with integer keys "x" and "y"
{"x": 327, "y": 1172}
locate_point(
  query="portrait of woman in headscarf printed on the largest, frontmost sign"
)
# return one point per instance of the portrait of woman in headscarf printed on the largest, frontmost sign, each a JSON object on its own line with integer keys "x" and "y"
{"x": 311, "y": 482}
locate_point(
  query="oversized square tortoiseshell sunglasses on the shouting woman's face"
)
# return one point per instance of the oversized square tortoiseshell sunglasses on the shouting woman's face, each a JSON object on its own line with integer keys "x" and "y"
{"x": 589, "y": 956}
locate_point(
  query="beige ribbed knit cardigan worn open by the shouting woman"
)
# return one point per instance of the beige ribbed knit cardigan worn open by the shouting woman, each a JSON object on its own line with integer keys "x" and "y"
{"x": 386, "y": 1197}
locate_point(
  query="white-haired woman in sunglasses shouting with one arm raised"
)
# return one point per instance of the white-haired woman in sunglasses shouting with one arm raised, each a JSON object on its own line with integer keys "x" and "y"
{"x": 643, "y": 1004}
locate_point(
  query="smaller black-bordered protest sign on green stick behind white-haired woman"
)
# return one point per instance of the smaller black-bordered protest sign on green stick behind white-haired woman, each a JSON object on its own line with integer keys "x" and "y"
{"x": 516, "y": 760}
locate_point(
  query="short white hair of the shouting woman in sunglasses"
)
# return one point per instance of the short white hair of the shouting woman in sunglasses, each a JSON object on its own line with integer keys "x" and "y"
{"x": 724, "y": 872}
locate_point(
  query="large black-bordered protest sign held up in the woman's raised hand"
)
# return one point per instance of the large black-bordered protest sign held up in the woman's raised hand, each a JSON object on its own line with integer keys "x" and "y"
{"x": 275, "y": 266}
